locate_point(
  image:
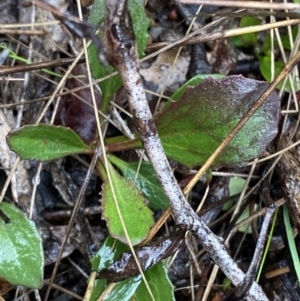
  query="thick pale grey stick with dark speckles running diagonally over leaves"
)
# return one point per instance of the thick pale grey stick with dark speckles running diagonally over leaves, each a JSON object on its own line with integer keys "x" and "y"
{"x": 121, "y": 52}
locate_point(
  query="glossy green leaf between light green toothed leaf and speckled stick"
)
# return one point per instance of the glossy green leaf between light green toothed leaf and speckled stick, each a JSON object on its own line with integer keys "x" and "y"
{"x": 146, "y": 181}
